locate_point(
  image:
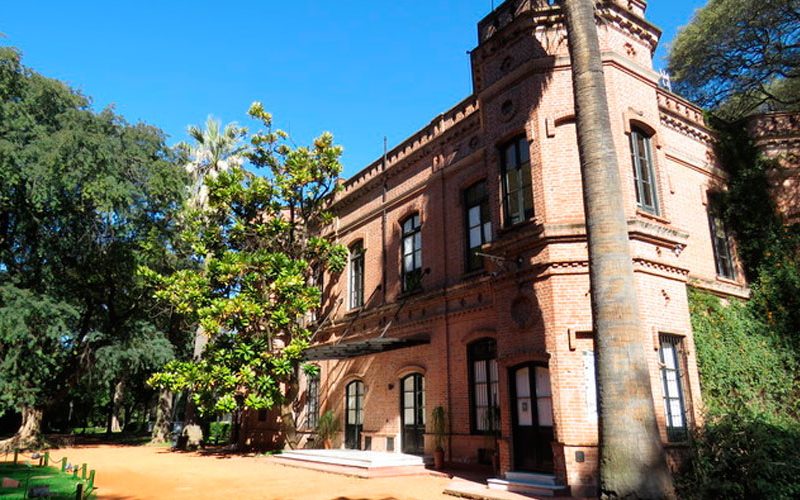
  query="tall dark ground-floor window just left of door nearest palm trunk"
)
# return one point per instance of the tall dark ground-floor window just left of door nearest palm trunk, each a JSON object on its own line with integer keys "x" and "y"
{"x": 483, "y": 385}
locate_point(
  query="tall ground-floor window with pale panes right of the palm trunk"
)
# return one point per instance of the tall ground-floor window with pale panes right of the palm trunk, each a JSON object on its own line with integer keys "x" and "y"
{"x": 671, "y": 377}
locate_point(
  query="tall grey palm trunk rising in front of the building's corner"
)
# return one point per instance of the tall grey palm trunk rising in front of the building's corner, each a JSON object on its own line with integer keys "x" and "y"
{"x": 632, "y": 459}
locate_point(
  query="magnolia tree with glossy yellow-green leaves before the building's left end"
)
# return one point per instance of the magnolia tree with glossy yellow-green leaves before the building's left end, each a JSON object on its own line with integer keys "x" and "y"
{"x": 257, "y": 239}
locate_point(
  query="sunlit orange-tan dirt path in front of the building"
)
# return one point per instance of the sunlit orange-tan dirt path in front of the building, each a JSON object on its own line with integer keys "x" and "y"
{"x": 141, "y": 472}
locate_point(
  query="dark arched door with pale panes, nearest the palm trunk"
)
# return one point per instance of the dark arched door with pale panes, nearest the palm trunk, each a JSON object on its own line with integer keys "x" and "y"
{"x": 532, "y": 418}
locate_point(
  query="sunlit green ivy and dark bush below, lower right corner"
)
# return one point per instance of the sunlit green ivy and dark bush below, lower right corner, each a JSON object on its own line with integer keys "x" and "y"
{"x": 750, "y": 376}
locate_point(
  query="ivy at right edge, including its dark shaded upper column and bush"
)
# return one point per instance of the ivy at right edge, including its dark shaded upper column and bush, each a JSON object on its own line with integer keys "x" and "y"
{"x": 748, "y": 354}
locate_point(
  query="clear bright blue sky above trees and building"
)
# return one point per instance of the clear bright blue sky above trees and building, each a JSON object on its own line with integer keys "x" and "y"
{"x": 360, "y": 69}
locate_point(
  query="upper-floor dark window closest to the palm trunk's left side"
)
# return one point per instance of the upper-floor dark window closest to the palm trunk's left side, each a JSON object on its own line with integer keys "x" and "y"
{"x": 517, "y": 191}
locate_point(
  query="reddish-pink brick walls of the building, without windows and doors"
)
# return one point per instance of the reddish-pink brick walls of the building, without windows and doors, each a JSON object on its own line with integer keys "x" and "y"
{"x": 533, "y": 296}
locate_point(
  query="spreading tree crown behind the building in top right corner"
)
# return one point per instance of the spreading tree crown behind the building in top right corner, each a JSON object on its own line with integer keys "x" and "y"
{"x": 736, "y": 56}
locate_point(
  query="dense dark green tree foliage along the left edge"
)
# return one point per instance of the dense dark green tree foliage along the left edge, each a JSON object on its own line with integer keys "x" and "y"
{"x": 86, "y": 199}
